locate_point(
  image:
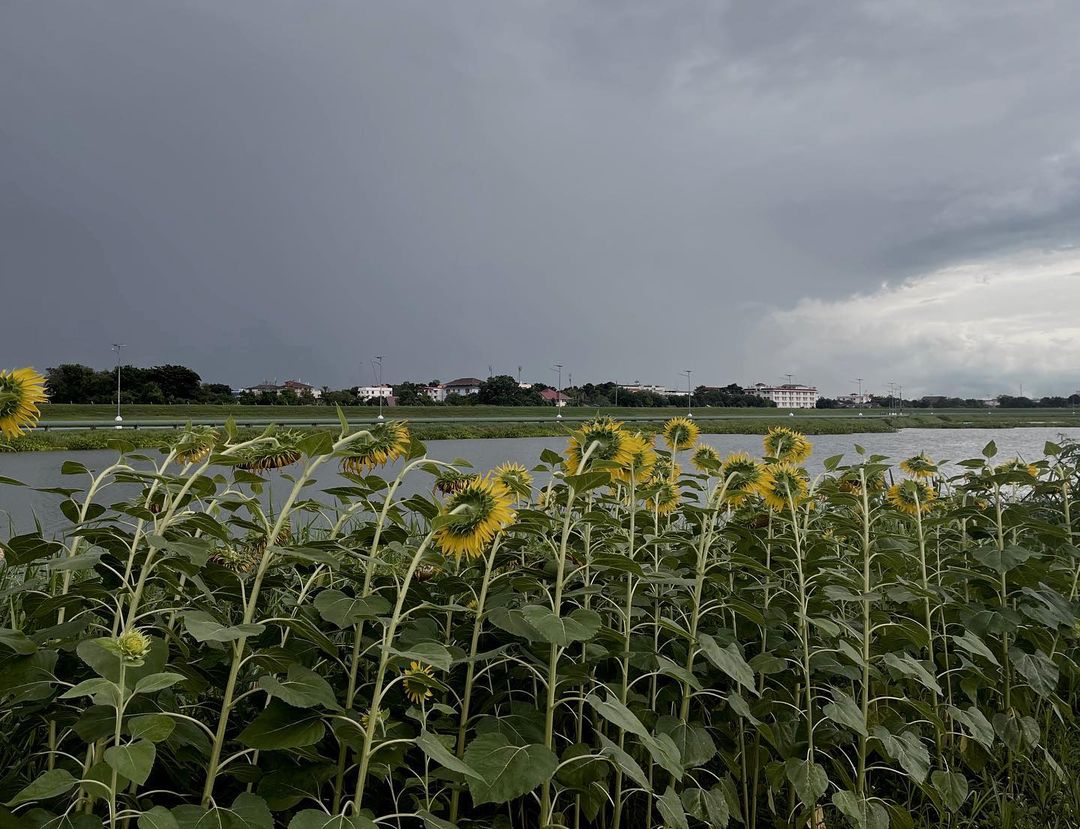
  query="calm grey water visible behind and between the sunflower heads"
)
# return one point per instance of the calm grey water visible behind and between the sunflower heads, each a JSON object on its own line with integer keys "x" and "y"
{"x": 21, "y": 506}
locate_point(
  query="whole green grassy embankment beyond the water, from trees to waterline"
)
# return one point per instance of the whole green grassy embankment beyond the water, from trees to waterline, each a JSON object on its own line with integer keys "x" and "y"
{"x": 711, "y": 422}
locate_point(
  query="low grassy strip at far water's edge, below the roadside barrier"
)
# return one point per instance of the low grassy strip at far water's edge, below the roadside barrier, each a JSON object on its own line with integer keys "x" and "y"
{"x": 152, "y": 439}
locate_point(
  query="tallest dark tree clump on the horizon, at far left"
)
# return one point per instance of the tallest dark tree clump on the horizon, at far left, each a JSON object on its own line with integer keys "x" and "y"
{"x": 73, "y": 383}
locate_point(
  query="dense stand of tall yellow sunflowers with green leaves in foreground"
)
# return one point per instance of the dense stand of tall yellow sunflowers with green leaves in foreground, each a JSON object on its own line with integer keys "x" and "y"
{"x": 634, "y": 633}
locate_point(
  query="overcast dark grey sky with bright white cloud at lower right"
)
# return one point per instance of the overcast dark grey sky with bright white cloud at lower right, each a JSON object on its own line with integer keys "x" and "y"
{"x": 887, "y": 189}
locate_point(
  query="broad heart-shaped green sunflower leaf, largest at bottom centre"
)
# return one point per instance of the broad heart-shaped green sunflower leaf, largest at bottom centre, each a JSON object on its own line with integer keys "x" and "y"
{"x": 507, "y": 771}
